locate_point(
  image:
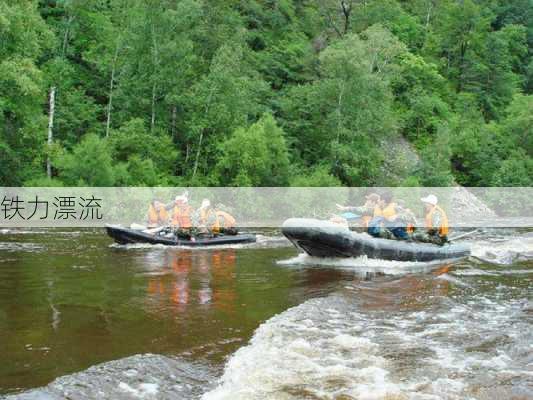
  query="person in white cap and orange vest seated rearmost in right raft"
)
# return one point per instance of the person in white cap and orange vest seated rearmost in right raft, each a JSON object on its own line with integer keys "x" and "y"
{"x": 436, "y": 223}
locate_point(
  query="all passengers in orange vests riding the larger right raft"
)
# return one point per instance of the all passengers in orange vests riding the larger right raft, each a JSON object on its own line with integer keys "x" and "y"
{"x": 382, "y": 217}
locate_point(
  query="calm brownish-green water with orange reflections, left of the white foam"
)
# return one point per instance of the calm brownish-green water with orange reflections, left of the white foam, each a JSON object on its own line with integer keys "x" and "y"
{"x": 69, "y": 301}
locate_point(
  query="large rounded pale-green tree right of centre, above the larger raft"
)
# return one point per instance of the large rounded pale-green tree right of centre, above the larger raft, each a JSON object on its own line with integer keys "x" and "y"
{"x": 346, "y": 115}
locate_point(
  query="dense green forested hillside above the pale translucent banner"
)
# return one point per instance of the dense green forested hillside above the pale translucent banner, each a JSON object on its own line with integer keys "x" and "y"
{"x": 266, "y": 92}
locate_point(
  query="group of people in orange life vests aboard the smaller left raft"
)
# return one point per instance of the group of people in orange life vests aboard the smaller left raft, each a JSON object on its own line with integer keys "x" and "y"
{"x": 182, "y": 220}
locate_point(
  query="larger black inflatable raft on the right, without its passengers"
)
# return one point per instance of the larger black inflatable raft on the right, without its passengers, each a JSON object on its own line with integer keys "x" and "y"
{"x": 326, "y": 239}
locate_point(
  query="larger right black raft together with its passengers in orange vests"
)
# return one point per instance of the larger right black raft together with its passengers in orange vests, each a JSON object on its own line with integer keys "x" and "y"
{"x": 379, "y": 229}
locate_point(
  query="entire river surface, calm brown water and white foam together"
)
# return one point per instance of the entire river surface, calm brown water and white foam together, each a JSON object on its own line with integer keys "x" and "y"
{"x": 83, "y": 318}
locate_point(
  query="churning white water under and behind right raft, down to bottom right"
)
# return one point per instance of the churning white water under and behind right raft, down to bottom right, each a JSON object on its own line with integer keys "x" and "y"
{"x": 429, "y": 332}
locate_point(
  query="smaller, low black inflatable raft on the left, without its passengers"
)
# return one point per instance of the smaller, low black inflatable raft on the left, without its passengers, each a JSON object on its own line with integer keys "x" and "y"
{"x": 126, "y": 236}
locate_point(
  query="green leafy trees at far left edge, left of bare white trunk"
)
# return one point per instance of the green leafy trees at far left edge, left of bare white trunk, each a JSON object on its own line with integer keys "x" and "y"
{"x": 24, "y": 38}
